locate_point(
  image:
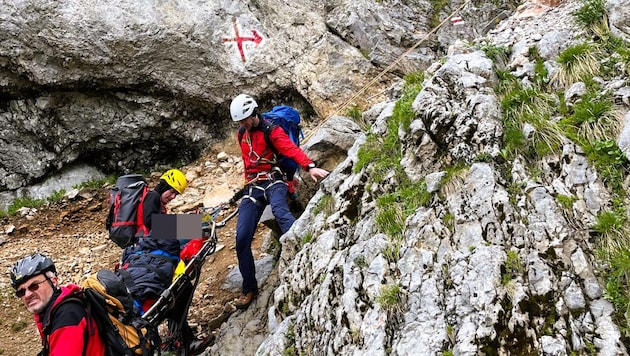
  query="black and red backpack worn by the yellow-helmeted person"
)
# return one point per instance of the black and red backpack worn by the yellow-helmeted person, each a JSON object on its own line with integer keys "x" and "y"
{"x": 125, "y": 221}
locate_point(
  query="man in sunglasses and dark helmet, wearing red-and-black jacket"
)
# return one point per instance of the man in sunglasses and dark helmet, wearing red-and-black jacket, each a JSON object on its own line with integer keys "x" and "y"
{"x": 65, "y": 328}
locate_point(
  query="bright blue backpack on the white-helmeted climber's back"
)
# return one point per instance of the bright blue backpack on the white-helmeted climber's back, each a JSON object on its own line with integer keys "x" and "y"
{"x": 289, "y": 119}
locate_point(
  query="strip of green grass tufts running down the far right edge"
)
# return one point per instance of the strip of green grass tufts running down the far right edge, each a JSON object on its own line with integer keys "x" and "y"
{"x": 593, "y": 123}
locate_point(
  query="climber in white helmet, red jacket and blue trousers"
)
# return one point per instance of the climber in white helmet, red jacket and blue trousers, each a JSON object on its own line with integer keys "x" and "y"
{"x": 267, "y": 184}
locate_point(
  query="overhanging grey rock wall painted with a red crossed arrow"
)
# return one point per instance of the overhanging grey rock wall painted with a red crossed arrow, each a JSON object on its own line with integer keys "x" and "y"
{"x": 123, "y": 86}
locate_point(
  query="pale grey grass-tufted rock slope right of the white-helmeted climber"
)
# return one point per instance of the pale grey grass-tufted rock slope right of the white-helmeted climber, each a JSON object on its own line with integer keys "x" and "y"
{"x": 492, "y": 262}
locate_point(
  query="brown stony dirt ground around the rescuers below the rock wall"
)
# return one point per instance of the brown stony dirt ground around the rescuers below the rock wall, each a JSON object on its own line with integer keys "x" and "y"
{"x": 73, "y": 234}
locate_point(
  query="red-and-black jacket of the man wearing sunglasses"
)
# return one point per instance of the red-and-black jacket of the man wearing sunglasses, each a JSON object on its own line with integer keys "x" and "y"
{"x": 66, "y": 327}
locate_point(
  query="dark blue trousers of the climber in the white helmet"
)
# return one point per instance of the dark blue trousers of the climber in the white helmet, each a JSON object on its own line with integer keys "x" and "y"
{"x": 256, "y": 198}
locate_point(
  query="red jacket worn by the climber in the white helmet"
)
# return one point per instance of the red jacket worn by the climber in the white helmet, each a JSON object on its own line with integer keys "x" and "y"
{"x": 258, "y": 157}
